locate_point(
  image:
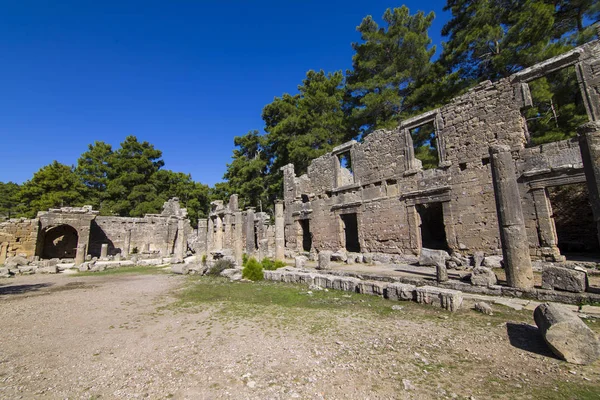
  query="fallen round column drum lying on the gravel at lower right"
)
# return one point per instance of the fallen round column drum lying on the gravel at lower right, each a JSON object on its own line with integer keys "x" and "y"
{"x": 568, "y": 337}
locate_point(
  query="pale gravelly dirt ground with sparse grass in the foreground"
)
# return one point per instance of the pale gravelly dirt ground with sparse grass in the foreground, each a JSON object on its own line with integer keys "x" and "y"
{"x": 143, "y": 336}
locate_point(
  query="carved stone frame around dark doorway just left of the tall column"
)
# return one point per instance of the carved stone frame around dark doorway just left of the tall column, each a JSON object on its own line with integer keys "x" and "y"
{"x": 433, "y": 195}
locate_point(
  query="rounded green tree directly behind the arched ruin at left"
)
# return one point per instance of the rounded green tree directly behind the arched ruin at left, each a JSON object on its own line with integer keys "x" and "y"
{"x": 55, "y": 185}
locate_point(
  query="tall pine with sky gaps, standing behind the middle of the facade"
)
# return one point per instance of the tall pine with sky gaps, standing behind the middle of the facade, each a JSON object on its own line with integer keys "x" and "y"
{"x": 386, "y": 66}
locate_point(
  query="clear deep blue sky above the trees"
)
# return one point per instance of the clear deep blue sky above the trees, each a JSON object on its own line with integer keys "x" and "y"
{"x": 187, "y": 76}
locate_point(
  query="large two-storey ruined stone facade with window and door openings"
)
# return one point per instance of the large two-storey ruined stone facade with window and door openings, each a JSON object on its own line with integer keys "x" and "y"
{"x": 375, "y": 196}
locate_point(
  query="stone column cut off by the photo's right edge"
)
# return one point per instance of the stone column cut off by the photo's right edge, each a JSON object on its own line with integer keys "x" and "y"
{"x": 589, "y": 143}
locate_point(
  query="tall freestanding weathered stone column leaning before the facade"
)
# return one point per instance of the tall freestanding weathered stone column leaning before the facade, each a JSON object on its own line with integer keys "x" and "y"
{"x": 515, "y": 246}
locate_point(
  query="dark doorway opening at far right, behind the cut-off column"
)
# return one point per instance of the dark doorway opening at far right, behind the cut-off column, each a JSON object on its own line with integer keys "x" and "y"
{"x": 573, "y": 219}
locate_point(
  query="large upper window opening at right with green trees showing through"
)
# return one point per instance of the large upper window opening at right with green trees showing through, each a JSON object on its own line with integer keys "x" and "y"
{"x": 557, "y": 108}
